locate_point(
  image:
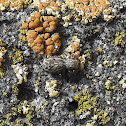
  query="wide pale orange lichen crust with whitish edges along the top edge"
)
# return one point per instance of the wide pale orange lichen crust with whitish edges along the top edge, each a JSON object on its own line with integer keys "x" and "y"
{"x": 88, "y": 9}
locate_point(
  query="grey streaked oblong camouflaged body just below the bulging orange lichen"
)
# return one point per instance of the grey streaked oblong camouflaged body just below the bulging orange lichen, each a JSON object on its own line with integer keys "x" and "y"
{"x": 55, "y": 64}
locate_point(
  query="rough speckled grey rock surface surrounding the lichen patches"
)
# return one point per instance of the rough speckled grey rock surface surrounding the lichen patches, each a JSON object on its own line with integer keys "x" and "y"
{"x": 107, "y": 61}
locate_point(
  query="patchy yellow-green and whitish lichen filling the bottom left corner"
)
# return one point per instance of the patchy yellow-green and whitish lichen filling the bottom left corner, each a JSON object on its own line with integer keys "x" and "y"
{"x": 14, "y": 118}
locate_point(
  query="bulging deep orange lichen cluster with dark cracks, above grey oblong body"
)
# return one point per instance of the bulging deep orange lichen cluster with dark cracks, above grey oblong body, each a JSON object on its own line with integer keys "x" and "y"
{"x": 39, "y": 30}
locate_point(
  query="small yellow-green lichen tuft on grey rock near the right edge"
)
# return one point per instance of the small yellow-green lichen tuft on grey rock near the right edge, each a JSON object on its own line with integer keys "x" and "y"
{"x": 119, "y": 40}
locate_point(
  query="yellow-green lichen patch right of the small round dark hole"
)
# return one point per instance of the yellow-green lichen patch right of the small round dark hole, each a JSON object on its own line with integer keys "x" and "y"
{"x": 88, "y": 103}
